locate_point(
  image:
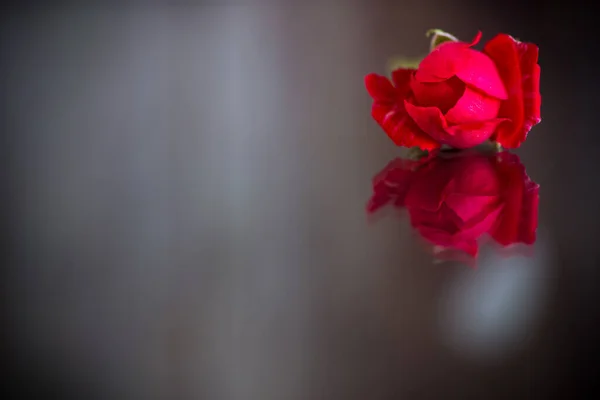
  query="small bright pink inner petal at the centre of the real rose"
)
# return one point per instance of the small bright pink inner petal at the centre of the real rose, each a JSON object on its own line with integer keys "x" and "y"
{"x": 473, "y": 106}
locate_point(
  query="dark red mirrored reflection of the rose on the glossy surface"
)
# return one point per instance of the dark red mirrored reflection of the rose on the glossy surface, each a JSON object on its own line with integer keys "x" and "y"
{"x": 453, "y": 199}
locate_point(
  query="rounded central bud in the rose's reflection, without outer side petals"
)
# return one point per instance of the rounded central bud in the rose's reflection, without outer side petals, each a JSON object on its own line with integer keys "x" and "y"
{"x": 470, "y": 206}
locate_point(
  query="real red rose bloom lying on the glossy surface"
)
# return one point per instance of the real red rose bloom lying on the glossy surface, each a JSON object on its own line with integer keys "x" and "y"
{"x": 461, "y": 97}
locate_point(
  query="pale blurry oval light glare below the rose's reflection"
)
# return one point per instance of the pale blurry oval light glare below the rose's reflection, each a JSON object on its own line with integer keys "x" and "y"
{"x": 492, "y": 312}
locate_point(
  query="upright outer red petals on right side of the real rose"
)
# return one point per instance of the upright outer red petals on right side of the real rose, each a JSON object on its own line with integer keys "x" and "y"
{"x": 517, "y": 65}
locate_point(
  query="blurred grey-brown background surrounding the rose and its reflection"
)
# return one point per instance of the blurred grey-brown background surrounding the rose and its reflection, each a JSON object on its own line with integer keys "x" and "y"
{"x": 185, "y": 218}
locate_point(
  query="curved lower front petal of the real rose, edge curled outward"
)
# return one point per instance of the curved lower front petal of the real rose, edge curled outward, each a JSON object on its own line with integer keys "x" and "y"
{"x": 433, "y": 122}
